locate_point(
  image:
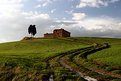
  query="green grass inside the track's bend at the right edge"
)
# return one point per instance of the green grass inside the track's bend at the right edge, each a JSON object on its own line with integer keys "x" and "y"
{"x": 111, "y": 56}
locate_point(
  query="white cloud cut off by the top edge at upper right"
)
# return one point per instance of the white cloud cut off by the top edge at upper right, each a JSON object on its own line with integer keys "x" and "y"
{"x": 95, "y": 3}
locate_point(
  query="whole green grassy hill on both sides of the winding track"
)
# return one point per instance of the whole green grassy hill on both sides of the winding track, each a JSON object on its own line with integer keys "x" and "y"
{"x": 25, "y": 60}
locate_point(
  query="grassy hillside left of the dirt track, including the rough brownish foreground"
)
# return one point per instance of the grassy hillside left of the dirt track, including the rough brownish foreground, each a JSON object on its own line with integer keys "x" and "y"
{"x": 20, "y": 59}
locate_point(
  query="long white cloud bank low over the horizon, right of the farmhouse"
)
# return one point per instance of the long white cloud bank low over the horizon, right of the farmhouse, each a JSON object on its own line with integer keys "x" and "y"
{"x": 91, "y": 26}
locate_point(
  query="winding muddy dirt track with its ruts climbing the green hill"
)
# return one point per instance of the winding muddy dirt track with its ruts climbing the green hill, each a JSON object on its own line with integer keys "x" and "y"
{"x": 65, "y": 63}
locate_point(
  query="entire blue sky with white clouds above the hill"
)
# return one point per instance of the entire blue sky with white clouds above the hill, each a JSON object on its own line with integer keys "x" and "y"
{"x": 89, "y": 18}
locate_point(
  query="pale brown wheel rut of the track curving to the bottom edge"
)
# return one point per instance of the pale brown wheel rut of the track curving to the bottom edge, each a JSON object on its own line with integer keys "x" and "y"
{"x": 66, "y": 64}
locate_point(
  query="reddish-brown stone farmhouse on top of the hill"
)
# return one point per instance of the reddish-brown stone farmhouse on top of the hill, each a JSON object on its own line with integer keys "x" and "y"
{"x": 57, "y": 33}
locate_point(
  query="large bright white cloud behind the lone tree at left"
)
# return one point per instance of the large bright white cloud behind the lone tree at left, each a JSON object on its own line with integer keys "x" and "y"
{"x": 15, "y": 22}
